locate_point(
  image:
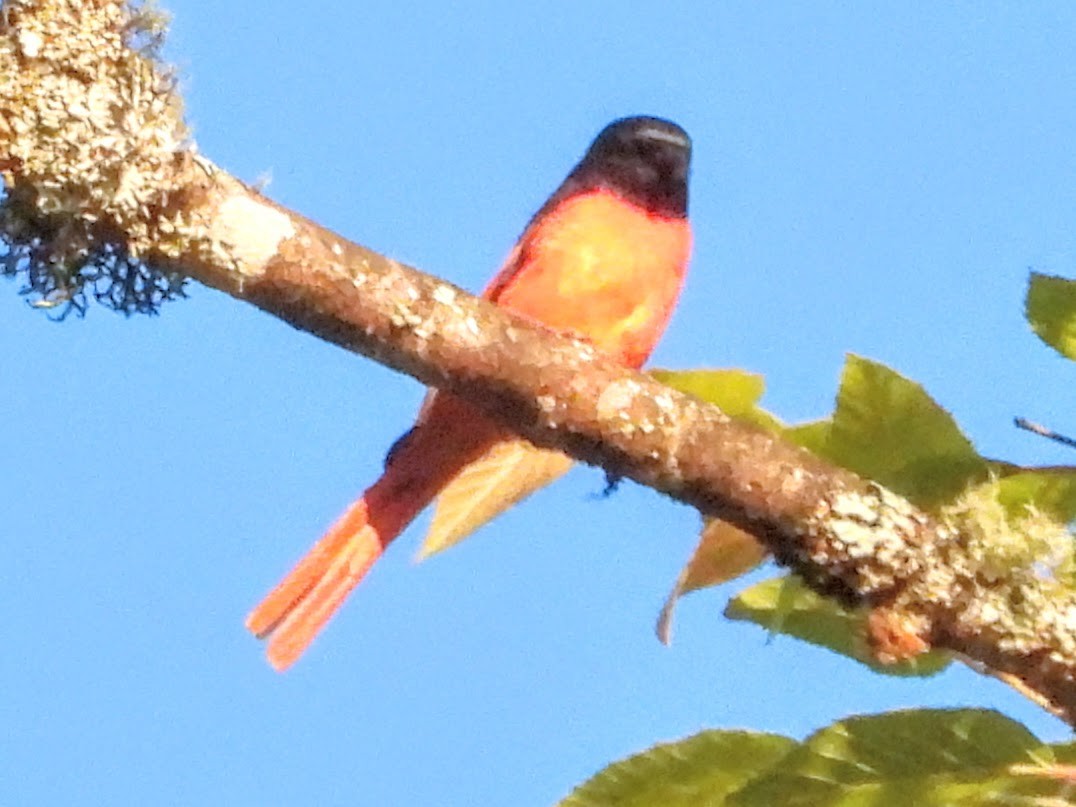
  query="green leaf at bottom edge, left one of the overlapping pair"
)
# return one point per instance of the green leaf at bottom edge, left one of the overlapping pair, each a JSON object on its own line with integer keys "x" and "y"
{"x": 698, "y": 772}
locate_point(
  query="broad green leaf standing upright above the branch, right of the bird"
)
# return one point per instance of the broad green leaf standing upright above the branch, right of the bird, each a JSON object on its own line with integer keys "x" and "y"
{"x": 888, "y": 429}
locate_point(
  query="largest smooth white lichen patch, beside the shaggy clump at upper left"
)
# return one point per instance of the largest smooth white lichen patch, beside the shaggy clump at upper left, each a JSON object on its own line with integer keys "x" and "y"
{"x": 250, "y": 233}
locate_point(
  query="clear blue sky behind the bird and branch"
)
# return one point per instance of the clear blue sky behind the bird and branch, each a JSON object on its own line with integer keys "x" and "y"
{"x": 867, "y": 180}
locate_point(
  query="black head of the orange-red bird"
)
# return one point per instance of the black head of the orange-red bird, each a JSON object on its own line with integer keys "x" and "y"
{"x": 645, "y": 160}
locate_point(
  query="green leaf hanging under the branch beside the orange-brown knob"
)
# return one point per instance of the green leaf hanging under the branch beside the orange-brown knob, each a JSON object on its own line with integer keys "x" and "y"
{"x": 786, "y": 605}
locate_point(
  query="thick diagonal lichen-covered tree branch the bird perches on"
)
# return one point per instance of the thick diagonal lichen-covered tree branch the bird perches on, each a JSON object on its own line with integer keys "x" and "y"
{"x": 96, "y": 162}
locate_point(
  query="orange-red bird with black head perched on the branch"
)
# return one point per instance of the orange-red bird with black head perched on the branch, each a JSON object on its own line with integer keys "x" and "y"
{"x": 604, "y": 260}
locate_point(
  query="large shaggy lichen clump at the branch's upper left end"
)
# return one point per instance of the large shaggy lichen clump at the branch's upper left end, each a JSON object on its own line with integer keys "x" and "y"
{"x": 91, "y": 132}
